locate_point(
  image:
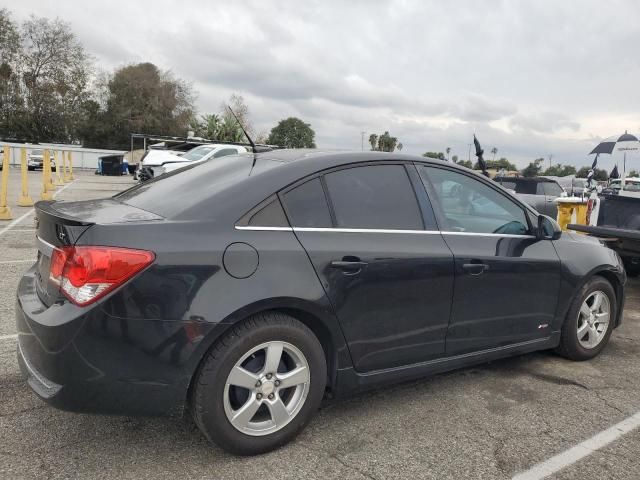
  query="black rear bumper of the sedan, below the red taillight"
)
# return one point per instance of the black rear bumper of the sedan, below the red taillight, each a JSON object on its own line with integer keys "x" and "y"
{"x": 84, "y": 360}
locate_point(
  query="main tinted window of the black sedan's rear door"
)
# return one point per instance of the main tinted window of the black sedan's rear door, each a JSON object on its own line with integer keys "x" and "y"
{"x": 374, "y": 196}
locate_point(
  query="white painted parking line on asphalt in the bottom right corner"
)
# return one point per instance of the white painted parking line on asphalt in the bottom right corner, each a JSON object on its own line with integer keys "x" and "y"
{"x": 574, "y": 454}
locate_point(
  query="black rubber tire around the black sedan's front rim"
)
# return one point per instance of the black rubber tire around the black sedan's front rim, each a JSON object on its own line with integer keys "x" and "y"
{"x": 569, "y": 346}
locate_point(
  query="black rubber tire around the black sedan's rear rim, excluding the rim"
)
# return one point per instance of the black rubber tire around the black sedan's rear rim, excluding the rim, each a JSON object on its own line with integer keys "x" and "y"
{"x": 207, "y": 403}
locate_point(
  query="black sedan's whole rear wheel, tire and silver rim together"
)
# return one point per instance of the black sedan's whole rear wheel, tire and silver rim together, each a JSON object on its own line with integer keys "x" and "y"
{"x": 260, "y": 384}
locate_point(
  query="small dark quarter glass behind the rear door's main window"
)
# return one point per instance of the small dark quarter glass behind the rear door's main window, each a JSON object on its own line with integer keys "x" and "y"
{"x": 307, "y": 205}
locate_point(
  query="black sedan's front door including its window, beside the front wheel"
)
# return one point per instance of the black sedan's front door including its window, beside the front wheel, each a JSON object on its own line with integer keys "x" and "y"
{"x": 506, "y": 280}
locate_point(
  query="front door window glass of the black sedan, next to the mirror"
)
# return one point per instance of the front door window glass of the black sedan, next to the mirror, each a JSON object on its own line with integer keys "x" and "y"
{"x": 468, "y": 205}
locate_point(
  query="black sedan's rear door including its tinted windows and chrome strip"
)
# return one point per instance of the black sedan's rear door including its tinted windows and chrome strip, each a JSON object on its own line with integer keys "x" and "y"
{"x": 386, "y": 269}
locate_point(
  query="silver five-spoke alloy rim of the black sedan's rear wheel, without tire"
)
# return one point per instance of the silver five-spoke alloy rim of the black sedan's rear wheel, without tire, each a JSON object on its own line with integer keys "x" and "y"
{"x": 266, "y": 388}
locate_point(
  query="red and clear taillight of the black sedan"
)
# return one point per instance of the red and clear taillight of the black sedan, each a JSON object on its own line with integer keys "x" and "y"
{"x": 86, "y": 274}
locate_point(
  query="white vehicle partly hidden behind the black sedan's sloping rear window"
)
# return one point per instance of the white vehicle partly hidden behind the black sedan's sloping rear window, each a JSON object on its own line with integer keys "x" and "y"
{"x": 162, "y": 161}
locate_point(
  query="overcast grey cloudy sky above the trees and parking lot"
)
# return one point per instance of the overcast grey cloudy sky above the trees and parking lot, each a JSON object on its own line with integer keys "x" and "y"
{"x": 532, "y": 78}
